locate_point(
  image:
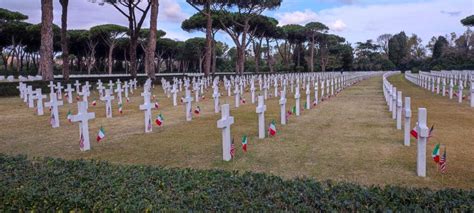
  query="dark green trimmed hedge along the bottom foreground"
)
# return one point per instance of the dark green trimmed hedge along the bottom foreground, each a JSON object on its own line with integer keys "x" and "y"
{"x": 46, "y": 184}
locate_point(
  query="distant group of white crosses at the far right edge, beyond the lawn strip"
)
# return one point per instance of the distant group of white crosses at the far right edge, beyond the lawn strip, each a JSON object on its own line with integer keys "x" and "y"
{"x": 436, "y": 82}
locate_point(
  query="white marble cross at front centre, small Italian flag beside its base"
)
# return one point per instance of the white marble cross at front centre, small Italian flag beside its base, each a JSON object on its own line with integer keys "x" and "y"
{"x": 224, "y": 123}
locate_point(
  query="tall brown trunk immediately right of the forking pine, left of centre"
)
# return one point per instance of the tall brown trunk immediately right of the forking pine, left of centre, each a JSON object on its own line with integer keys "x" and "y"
{"x": 150, "y": 50}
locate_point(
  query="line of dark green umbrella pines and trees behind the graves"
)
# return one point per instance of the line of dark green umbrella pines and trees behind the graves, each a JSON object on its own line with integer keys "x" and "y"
{"x": 259, "y": 44}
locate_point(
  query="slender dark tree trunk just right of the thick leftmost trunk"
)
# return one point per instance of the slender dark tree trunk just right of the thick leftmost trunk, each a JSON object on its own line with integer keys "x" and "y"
{"x": 64, "y": 39}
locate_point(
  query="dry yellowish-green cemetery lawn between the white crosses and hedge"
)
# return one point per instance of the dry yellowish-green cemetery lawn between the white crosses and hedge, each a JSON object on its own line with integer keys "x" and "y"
{"x": 349, "y": 138}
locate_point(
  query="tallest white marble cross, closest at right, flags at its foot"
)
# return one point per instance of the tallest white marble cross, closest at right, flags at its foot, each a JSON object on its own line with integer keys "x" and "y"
{"x": 423, "y": 134}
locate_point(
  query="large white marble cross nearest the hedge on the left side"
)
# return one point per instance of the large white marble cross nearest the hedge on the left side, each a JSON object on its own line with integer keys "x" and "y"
{"x": 83, "y": 117}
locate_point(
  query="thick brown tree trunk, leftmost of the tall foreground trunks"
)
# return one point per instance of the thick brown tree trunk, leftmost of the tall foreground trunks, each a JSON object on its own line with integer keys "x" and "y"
{"x": 46, "y": 49}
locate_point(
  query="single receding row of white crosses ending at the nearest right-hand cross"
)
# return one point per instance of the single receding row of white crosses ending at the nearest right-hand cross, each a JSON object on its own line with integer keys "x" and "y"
{"x": 394, "y": 102}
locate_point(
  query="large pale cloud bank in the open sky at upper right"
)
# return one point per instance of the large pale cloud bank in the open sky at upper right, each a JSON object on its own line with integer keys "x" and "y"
{"x": 359, "y": 22}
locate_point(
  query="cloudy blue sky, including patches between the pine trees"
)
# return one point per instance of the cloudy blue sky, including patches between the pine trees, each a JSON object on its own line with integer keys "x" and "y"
{"x": 356, "y": 20}
